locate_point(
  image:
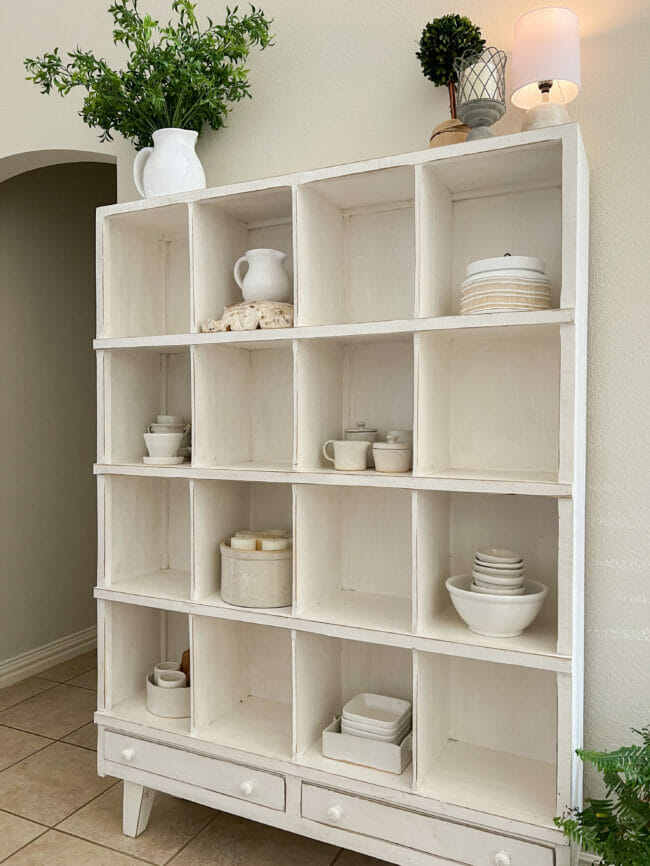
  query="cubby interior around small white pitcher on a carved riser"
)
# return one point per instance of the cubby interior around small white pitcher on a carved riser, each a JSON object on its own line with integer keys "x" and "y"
{"x": 223, "y": 229}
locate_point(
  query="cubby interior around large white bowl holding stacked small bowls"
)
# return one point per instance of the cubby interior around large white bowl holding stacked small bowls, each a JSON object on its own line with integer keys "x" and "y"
{"x": 451, "y": 526}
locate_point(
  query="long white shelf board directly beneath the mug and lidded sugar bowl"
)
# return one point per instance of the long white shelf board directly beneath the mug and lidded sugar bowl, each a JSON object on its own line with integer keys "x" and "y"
{"x": 451, "y": 482}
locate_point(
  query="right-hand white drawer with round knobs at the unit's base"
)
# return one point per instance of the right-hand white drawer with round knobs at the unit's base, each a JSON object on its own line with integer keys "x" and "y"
{"x": 466, "y": 845}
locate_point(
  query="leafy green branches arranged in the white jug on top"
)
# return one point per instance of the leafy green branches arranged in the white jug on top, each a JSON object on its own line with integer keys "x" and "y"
{"x": 178, "y": 75}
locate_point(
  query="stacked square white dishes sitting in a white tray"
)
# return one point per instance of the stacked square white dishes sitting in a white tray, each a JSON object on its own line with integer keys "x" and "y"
{"x": 376, "y": 717}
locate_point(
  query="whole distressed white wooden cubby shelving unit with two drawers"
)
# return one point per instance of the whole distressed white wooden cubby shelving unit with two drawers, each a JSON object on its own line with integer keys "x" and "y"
{"x": 497, "y": 404}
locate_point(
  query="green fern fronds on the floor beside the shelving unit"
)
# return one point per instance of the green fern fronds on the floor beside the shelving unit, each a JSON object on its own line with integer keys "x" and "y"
{"x": 616, "y": 829}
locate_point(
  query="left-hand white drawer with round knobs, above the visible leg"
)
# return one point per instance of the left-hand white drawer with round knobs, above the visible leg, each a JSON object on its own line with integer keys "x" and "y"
{"x": 234, "y": 780}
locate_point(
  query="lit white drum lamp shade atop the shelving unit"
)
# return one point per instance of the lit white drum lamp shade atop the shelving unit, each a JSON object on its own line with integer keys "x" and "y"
{"x": 546, "y": 48}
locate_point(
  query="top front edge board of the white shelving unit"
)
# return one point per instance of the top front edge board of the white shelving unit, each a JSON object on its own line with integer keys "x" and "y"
{"x": 541, "y": 139}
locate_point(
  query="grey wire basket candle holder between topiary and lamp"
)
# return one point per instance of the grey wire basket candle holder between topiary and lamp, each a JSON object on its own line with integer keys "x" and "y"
{"x": 481, "y": 99}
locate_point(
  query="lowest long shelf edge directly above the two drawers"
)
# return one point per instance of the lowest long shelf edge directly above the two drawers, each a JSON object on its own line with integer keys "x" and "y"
{"x": 309, "y": 767}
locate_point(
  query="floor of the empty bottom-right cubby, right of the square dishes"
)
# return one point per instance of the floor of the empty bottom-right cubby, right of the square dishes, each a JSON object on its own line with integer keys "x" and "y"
{"x": 514, "y": 787}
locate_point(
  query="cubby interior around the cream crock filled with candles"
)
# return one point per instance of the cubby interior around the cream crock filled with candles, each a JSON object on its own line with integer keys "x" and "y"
{"x": 220, "y": 509}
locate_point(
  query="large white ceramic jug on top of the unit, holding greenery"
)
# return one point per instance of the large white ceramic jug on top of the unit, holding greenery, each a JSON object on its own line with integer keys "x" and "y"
{"x": 170, "y": 166}
